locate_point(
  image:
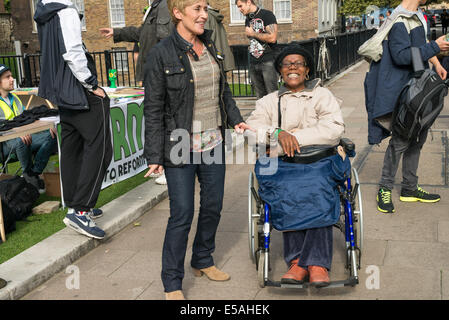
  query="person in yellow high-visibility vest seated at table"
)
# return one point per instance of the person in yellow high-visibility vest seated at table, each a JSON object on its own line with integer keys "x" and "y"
{"x": 41, "y": 143}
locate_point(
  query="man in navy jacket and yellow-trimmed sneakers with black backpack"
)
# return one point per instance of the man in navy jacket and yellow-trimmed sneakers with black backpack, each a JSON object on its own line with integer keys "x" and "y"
{"x": 383, "y": 85}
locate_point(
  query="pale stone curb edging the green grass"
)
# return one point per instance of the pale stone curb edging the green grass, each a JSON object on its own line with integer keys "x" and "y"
{"x": 34, "y": 266}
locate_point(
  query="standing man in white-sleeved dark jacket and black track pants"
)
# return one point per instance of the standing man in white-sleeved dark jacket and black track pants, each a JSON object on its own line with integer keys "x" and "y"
{"x": 69, "y": 80}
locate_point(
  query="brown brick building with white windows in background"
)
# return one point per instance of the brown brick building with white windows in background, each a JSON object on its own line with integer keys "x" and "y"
{"x": 298, "y": 20}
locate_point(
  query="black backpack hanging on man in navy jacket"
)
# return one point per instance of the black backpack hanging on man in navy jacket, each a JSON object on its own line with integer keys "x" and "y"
{"x": 420, "y": 102}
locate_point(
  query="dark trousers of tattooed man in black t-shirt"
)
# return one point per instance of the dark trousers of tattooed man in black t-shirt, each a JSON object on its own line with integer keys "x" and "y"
{"x": 264, "y": 77}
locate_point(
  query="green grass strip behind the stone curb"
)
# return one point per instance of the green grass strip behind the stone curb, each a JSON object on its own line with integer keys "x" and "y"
{"x": 38, "y": 227}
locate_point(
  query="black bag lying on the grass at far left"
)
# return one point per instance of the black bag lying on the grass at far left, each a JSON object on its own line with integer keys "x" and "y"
{"x": 18, "y": 196}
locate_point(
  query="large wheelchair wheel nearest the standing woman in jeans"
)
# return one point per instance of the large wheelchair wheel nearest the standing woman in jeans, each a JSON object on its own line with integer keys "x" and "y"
{"x": 253, "y": 216}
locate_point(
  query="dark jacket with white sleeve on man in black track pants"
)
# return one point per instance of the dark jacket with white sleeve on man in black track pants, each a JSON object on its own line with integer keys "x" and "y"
{"x": 66, "y": 69}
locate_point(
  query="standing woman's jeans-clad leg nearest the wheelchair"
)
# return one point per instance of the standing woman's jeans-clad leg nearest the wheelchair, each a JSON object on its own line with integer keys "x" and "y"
{"x": 211, "y": 178}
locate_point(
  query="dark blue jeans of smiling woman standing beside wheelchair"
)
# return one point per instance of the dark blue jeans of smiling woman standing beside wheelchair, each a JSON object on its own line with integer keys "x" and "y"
{"x": 181, "y": 191}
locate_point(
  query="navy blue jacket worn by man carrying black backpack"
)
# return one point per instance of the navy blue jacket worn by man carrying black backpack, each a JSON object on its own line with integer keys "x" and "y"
{"x": 387, "y": 77}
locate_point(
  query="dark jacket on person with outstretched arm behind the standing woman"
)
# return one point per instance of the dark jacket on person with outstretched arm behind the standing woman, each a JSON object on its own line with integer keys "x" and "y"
{"x": 156, "y": 26}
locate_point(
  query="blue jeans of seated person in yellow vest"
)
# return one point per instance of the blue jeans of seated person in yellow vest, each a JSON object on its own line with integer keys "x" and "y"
{"x": 43, "y": 145}
